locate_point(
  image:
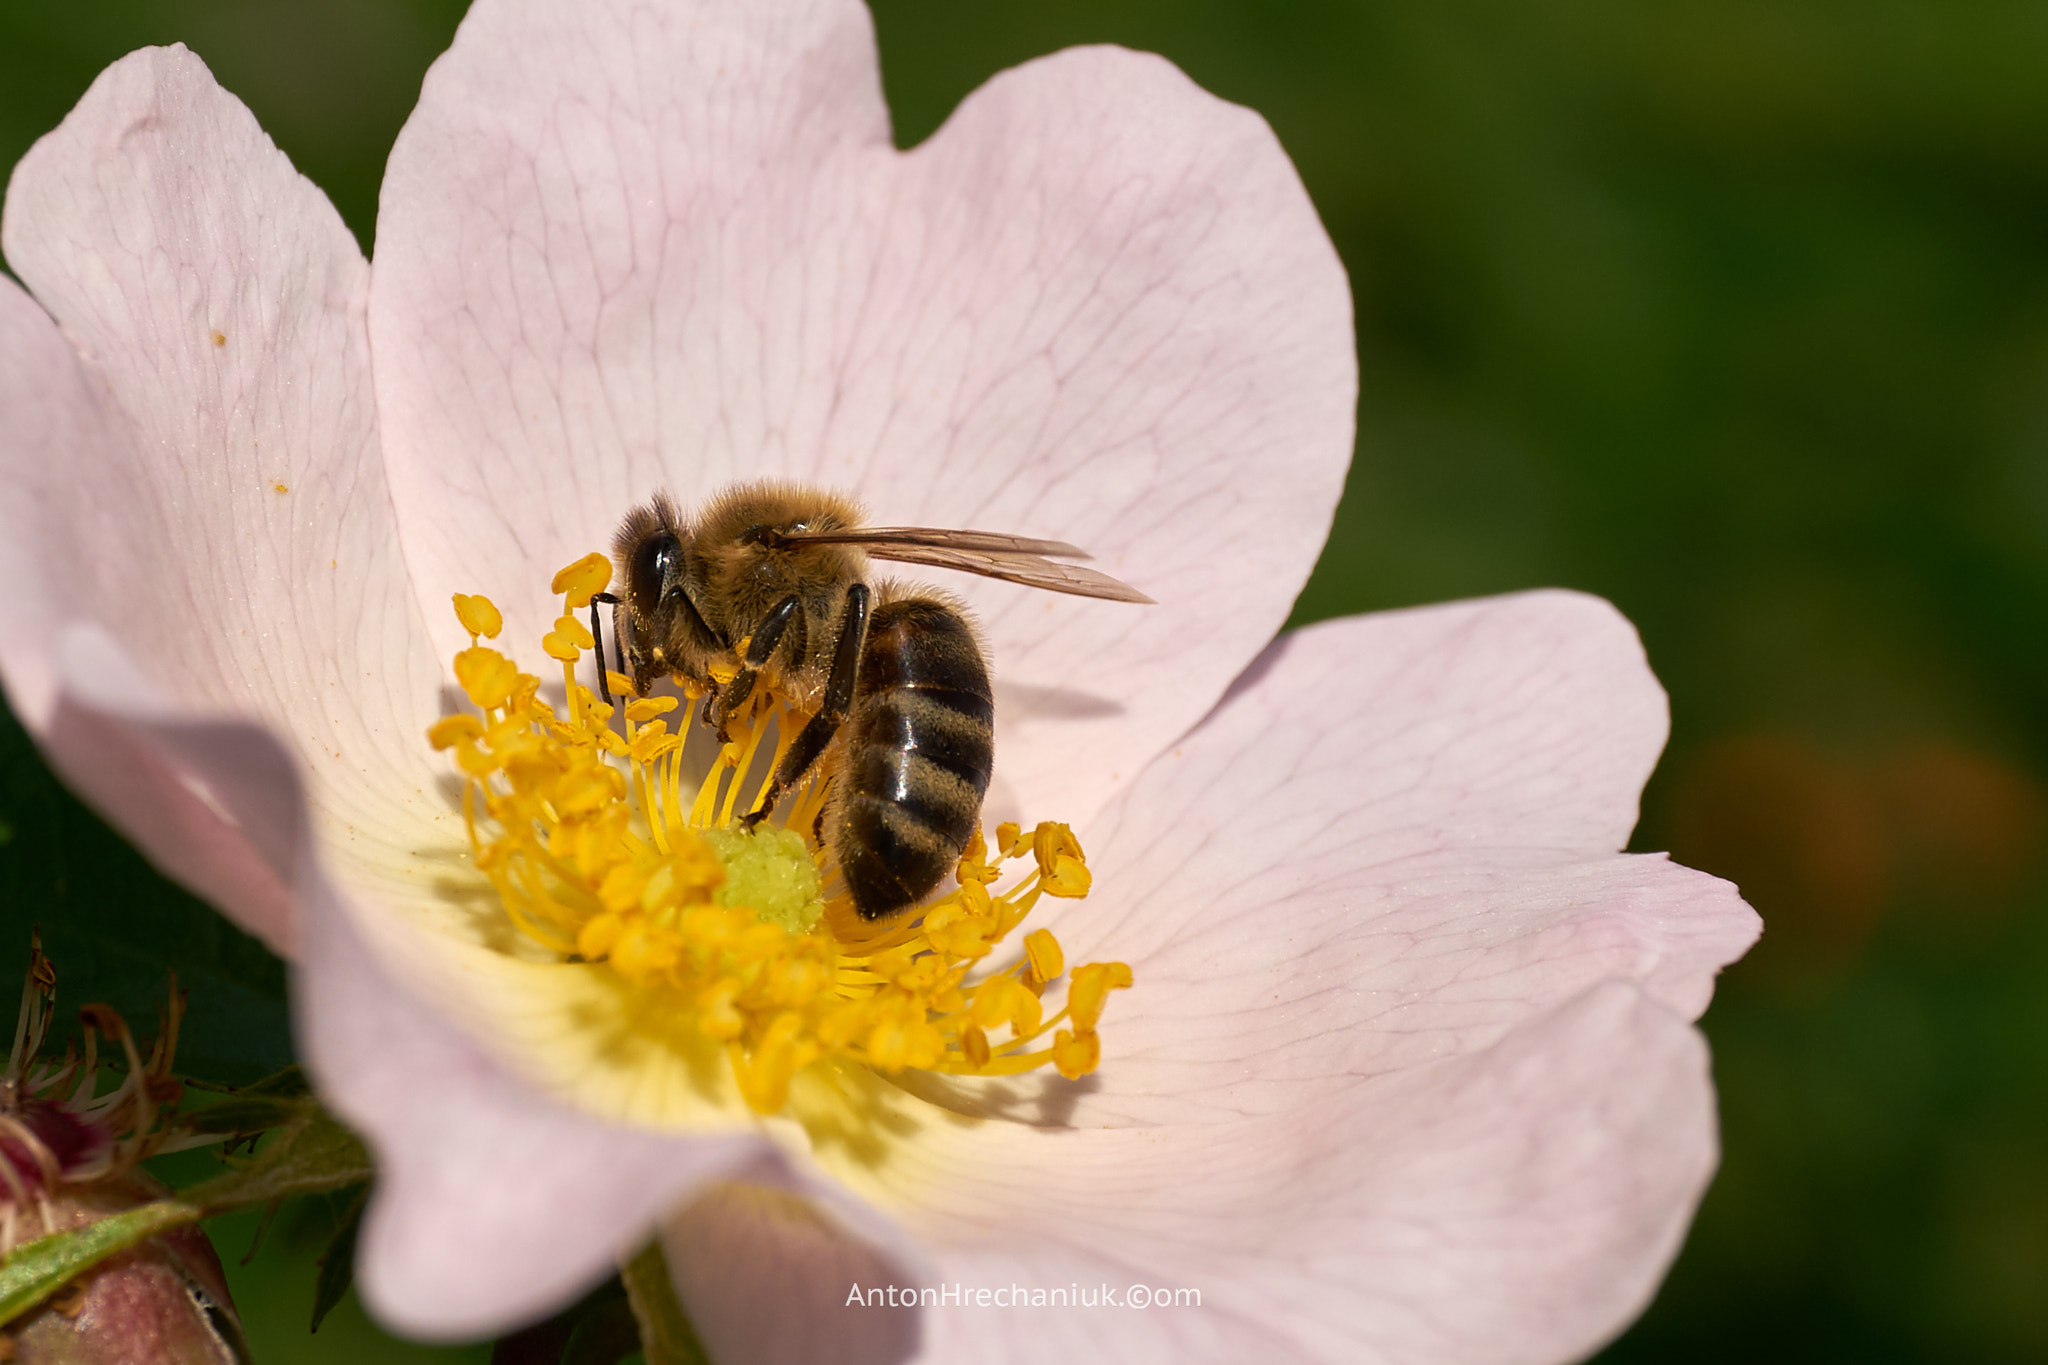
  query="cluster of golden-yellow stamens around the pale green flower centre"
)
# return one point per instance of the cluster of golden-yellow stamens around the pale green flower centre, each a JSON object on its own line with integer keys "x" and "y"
{"x": 605, "y": 848}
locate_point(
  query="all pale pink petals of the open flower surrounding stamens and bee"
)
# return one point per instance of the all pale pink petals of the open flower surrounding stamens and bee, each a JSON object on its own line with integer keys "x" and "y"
{"x": 1406, "y": 1069}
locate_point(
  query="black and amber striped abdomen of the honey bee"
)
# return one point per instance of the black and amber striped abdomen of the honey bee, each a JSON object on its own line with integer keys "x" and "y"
{"x": 921, "y": 742}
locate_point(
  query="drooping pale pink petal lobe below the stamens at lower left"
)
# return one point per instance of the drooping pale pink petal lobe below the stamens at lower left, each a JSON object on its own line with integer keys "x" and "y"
{"x": 495, "y": 1204}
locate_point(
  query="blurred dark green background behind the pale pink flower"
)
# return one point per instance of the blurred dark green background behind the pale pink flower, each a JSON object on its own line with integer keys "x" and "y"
{"x": 1734, "y": 312}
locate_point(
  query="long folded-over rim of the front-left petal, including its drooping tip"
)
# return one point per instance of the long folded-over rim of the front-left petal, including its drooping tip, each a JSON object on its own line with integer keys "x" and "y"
{"x": 495, "y": 1204}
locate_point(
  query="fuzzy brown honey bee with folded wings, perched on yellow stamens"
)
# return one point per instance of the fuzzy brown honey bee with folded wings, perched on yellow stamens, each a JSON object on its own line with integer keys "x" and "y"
{"x": 771, "y": 580}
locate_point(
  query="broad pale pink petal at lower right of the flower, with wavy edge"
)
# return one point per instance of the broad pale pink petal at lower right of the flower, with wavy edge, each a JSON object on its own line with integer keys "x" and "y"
{"x": 1408, "y": 1037}
